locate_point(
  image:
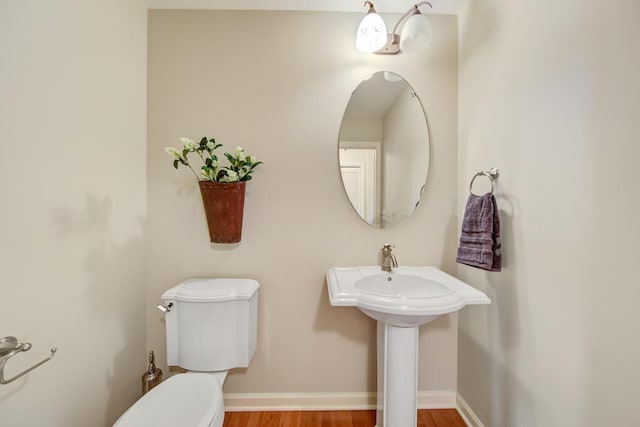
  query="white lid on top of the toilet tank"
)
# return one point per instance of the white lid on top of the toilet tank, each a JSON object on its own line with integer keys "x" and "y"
{"x": 208, "y": 290}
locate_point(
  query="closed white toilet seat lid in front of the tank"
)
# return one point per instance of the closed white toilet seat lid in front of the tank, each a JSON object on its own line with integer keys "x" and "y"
{"x": 186, "y": 400}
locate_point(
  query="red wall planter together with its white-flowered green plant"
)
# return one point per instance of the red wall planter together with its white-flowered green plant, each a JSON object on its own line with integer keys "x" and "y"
{"x": 222, "y": 187}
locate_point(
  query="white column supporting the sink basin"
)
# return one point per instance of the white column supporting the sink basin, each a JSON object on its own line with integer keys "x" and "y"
{"x": 397, "y": 376}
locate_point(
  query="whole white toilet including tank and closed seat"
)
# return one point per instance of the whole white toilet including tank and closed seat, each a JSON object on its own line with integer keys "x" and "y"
{"x": 211, "y": 327}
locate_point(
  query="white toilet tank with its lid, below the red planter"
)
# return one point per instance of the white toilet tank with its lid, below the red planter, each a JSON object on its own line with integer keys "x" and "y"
{"x": 211, "y": 324}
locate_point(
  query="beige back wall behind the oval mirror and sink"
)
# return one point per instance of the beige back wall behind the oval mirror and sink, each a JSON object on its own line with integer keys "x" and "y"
{"x": 278, "y": 84}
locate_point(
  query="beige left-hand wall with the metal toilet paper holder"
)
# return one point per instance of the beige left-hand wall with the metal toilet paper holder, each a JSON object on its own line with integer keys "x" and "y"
{"x": 72, "y": 114}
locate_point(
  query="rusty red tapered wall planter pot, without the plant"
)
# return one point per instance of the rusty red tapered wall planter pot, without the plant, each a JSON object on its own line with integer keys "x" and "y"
{"x": 224, "y": 207}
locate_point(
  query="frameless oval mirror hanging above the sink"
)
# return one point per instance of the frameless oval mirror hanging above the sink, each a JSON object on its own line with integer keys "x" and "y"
{"x": 384, "y": 150}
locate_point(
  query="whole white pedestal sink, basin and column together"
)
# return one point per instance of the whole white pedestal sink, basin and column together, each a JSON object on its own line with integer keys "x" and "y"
{"x": 401, "y": 301}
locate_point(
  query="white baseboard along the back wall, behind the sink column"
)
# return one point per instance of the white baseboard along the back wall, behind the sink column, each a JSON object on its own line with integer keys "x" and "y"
{"x": 235, "y": 402}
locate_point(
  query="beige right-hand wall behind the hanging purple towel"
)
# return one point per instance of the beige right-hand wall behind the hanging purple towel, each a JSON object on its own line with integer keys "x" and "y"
{"x": 549, "y": 93}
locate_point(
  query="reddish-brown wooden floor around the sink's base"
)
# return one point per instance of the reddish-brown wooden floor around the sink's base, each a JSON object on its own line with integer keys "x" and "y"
{"x": 426, "y": 418}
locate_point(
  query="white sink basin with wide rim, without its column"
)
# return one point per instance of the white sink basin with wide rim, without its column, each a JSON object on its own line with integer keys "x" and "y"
{"x": 407, "y": 296}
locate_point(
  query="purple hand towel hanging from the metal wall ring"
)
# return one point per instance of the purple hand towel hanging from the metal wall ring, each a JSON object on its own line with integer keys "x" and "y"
{"x": 480, "y": 237}
